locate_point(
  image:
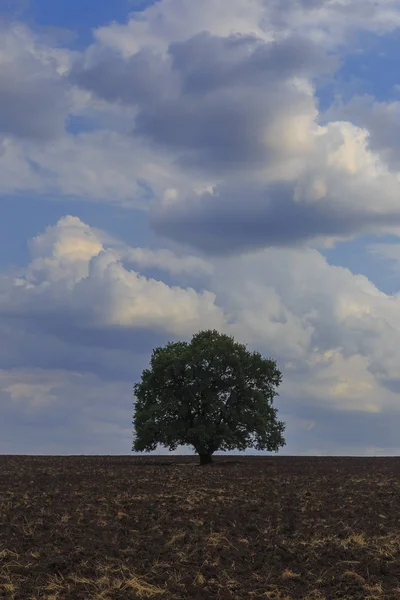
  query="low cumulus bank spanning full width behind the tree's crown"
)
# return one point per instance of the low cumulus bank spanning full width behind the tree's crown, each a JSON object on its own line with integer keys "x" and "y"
{"x": 333, "y": 333}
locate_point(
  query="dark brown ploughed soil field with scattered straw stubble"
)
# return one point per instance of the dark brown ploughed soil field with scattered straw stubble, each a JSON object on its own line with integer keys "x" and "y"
{"x": 122, "y": 527}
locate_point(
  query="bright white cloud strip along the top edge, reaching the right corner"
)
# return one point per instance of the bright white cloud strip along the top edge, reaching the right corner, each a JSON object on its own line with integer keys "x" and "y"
{"x": 328, "y": 23}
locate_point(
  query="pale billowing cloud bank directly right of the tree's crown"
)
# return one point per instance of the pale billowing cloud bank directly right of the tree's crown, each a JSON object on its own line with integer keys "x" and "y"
{"x": 333, "y": 332}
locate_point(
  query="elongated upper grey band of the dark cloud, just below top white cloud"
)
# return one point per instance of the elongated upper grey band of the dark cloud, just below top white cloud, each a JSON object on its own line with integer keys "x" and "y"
{"x": 199, "y": 65}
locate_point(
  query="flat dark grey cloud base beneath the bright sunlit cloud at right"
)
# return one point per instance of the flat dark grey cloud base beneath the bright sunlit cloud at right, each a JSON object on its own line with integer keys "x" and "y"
{"x": 240, "y": 218}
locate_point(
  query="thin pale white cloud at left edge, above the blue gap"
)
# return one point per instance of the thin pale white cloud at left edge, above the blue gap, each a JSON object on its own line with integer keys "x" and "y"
{"x": 98, "y": 166}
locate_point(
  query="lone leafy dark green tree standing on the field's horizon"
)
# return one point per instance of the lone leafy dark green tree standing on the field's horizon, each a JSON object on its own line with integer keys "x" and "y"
{"x": 211, "y": 393}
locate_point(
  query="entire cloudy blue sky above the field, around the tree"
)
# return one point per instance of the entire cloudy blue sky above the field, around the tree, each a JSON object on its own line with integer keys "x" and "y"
{"x": 172, "y": 166}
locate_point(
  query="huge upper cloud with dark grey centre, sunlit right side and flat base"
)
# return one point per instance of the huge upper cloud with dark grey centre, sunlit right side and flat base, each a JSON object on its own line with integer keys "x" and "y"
{"x": 242, "y": 111}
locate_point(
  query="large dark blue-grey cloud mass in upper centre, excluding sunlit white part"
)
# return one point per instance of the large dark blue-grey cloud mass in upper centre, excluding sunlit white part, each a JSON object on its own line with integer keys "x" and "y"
{"x": 212, "y": 99}
